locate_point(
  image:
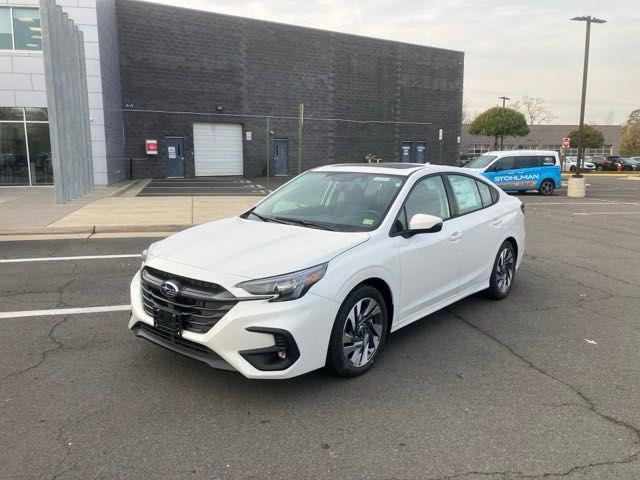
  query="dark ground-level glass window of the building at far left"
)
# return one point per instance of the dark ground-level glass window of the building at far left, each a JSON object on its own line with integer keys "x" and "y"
{"x": 25, "y": 148}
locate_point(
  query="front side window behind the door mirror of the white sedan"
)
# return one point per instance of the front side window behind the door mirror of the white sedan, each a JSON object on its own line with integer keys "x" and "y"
{"x": 427, "y": 197}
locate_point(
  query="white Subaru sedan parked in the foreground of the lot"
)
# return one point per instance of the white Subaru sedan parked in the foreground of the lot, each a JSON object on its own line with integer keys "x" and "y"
{"x": 322, "y": 270}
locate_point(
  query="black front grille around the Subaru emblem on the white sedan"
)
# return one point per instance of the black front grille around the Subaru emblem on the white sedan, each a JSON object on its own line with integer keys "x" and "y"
{"x": 200, "y": 305}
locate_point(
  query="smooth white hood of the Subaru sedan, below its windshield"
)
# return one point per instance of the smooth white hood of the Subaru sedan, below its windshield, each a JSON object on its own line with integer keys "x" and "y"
{"x": 254, "y": 249}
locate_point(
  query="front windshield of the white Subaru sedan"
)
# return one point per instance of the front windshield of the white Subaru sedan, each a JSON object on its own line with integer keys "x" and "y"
{"x": 341, "y": 201}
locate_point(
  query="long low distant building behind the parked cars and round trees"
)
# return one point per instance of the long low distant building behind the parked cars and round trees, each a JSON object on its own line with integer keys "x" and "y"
{"x": 541, "y": 137}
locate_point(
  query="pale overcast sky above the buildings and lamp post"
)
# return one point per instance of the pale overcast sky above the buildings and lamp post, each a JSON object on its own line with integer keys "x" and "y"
{"x": 511, "y": 48}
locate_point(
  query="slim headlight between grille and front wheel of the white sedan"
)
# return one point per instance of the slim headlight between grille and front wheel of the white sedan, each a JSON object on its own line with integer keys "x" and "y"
{"x": 286, "y": 287}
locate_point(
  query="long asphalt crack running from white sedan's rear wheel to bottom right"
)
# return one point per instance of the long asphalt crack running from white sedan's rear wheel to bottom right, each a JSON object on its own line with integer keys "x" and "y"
{"x": 588, "y": 403}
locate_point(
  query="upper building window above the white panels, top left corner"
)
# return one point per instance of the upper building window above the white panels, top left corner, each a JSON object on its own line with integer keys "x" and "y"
{"x": 20, "y": 29}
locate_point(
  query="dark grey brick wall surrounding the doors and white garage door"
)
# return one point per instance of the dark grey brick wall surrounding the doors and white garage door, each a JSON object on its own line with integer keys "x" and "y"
{"x": 180, "y": 60}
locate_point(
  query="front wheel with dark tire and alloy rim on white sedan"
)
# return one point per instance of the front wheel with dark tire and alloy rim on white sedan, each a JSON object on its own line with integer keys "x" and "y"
{"x": 359, "y": 332}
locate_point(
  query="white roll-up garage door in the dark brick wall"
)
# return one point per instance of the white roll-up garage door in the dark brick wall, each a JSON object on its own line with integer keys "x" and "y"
{"x": 217, "y": 148}
